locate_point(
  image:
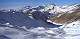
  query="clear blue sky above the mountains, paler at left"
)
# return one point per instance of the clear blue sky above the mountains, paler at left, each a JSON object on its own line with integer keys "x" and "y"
{"x": 7, "y": 4}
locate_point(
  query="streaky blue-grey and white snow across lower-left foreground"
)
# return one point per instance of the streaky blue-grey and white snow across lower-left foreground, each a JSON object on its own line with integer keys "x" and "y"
{"x": 33, "y": 33}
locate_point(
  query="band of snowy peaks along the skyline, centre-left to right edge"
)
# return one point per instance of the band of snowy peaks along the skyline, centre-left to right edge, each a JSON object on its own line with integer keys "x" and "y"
{"x": 52, "y": 8}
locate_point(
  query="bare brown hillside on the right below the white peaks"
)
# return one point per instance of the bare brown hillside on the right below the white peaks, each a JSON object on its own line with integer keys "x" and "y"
{"x": 67, "y": 17}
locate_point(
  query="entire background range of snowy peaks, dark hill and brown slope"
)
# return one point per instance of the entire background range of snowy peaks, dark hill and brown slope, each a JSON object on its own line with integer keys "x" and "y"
{"x": 53, "y": 13}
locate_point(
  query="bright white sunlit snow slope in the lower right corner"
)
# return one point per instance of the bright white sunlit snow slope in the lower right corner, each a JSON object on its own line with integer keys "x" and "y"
{"x": 72, "y": 30}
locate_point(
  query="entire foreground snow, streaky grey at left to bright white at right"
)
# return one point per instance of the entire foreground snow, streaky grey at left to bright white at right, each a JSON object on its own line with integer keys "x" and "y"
{"x": 68, "y": 31}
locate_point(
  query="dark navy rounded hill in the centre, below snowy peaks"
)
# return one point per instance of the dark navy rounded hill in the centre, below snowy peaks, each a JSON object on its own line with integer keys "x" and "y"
{"x": 40, "y": 15}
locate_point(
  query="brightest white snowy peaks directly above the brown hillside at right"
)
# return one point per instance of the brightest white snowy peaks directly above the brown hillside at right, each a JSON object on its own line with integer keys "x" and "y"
{"x": 62, "y": 9}
